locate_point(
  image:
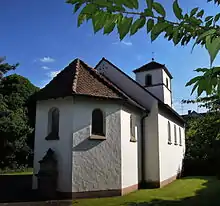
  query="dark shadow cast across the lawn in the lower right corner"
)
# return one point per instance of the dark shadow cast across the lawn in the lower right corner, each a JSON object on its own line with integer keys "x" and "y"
{"x": 209, "y": 195}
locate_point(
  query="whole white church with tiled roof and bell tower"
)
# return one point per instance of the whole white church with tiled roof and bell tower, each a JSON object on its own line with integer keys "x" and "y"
{"x": 110, "y": 134}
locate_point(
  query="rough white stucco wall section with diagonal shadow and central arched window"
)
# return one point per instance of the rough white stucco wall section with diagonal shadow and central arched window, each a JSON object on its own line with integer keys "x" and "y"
{"x": 96, "y": 164}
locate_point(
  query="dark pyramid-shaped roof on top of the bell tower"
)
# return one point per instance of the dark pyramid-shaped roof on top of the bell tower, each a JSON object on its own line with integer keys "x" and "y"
{"x": 153, "y": 66}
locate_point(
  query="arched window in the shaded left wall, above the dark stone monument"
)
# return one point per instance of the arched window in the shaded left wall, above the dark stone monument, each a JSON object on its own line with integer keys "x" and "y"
{"x": 53, "y": 124}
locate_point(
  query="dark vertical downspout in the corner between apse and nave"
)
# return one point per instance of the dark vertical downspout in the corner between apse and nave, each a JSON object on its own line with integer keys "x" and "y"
{"x": 143, "y": 183}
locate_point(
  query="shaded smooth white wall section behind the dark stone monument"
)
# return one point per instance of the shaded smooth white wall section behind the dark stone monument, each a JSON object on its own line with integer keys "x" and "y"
{"x": 62, "y": 147}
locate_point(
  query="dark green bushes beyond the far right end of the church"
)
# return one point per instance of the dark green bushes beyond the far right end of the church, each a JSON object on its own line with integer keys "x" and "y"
{"x": 202, "y": 145}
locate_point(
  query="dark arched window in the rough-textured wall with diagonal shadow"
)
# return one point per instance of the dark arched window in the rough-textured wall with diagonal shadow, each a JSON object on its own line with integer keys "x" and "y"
{"x": 97, "y": 122}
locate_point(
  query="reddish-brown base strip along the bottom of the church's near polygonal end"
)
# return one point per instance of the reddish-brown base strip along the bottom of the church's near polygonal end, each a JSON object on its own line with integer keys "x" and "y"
{"x": 98, "y": 194}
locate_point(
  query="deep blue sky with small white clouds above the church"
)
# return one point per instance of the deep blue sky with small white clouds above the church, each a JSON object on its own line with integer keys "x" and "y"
{"x": 43, "y": 37}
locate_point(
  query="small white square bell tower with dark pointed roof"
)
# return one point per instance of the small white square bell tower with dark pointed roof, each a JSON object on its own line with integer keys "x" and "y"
{"x": 156, "y": 78}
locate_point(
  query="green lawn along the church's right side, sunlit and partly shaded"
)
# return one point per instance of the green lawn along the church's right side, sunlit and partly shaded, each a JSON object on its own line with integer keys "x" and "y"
{"x": 187, "y": 191}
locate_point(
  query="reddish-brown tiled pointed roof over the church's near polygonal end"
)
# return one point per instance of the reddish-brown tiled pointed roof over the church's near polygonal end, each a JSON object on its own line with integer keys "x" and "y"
{"x": 79, "y": 79}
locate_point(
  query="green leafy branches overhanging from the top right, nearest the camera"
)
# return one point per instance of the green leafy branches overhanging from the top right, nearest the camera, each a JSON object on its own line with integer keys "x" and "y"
{"x": 126, "y": 17}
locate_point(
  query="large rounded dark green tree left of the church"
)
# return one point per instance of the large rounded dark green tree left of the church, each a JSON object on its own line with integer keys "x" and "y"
{"x": 16, "y": 131}
